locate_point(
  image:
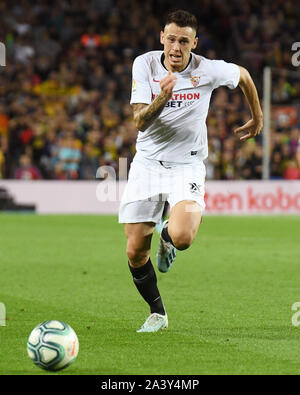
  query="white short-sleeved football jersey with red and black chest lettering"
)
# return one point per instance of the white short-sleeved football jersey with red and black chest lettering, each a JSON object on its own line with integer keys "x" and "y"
{"x": 179, "y": 134}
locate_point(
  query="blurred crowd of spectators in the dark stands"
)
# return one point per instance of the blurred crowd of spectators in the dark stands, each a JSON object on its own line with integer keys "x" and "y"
{"x": 64, "y": 93}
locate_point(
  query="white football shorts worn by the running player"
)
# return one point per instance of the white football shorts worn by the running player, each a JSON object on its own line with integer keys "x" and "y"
{"x": 151, "y": 183}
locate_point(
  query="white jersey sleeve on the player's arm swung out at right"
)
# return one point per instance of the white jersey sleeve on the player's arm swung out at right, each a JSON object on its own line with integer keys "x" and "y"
{"x": 225, "y": 74}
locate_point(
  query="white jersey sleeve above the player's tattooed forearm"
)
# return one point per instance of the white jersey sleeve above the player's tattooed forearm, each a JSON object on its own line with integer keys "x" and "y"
{"x": 141, "y": 89}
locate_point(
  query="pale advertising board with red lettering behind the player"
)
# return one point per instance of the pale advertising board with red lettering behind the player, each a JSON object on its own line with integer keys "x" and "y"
{"x": 93, "y": 197}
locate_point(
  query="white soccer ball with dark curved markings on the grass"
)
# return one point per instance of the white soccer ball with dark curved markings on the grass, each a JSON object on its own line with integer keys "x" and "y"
{"x": 53, "y": 345}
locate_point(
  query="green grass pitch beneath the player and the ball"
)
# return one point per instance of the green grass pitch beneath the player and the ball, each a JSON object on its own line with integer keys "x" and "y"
{"x": 229, "y": 297}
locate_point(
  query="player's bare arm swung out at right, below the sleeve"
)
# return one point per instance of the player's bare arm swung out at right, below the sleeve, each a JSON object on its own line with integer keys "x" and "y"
{"x": 254, "y": 126}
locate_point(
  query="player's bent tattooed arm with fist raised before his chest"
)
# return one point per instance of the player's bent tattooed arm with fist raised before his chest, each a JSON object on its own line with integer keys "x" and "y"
{"x": 145, "y": 114}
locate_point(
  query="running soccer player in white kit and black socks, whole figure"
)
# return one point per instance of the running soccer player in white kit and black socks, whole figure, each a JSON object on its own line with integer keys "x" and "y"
{"x": 171, "y": 91}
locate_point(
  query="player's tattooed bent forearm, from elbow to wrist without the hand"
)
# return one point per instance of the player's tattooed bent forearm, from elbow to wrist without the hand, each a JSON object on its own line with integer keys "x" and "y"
{"x": 145, "y": 114}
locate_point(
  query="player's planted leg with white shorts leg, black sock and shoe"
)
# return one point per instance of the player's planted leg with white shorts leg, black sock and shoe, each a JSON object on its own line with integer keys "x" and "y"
{"x": 140, "y": 211}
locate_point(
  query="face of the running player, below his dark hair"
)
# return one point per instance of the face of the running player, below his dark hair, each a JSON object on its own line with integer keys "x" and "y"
{"x": 178, "y": 43}
